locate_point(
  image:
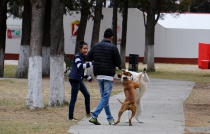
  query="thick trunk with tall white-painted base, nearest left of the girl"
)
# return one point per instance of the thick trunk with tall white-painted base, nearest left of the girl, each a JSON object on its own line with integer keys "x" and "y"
{"x": 57, "y": 92}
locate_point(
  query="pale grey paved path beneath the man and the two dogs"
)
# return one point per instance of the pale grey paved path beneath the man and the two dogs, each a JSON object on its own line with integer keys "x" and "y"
{"x": 162, "y": 114}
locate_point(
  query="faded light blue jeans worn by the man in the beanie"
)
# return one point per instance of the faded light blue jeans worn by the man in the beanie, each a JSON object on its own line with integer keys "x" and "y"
{"x": 105, "y": 91}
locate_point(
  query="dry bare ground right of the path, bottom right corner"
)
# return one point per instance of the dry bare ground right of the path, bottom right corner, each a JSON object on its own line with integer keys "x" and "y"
{"x": 197, "y": 107}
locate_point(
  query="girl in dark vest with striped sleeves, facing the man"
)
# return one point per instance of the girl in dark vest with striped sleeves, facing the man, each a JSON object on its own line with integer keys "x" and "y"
{"x": 76, "y": 77}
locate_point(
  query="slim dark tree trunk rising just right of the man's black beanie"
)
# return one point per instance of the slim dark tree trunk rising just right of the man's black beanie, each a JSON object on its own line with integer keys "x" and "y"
{"x": 114, "y": 23}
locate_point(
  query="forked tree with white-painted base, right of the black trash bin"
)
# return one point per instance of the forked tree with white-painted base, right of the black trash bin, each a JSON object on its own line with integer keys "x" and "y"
{"x": 152, "y": 11}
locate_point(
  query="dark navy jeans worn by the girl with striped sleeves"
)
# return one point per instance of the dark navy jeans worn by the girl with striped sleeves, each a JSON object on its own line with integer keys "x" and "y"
{"x": 75, "y": 87}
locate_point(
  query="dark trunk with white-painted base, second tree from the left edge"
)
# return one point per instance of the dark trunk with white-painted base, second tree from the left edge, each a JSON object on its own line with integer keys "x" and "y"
{"x": 23, "y": 61}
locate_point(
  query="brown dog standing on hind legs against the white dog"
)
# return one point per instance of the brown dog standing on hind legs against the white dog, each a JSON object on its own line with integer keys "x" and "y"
{"x": 130, "y": 95}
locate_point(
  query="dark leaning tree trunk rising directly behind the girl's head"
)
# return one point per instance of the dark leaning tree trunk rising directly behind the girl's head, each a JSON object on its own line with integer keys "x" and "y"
{"x": 83, "y": 24}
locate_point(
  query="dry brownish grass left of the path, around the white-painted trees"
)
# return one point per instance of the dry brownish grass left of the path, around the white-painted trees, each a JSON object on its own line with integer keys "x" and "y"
{"x": 17, "y": 118}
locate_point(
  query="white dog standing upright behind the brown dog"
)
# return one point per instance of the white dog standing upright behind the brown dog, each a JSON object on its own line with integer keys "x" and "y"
{"x": 139, "y": 91}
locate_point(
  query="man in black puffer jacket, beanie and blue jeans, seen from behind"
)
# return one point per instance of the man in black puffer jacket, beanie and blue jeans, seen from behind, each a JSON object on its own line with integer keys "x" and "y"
{"x": 106, "y": 58}
